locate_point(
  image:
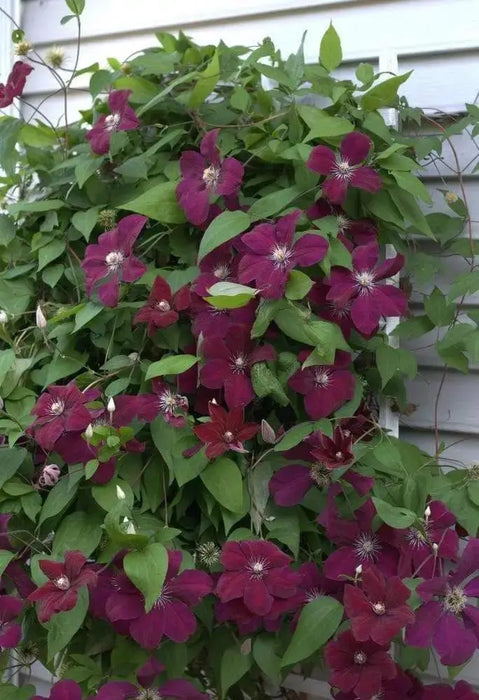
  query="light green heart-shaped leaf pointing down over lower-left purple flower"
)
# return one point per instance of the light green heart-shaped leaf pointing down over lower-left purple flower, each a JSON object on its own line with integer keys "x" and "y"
{"x": 146, "y": 569}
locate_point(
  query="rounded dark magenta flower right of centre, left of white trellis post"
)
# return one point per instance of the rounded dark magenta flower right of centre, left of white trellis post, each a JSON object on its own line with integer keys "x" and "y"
{"x": 325, "y": 387}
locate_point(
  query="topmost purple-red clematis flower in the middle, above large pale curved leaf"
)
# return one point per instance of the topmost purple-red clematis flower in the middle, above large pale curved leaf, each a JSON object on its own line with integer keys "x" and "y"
{"x": 205, "y": 174}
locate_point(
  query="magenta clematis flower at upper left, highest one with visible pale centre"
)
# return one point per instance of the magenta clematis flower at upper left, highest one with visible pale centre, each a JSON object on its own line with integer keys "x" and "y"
{"x": 122, "y": 118}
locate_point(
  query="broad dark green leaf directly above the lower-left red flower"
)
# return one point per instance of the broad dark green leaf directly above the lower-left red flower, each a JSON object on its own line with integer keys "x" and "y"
{"x": 79, "y": 530}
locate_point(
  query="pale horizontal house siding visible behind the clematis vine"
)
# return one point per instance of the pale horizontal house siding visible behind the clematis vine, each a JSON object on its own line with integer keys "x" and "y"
{"x": 439, "y": 39}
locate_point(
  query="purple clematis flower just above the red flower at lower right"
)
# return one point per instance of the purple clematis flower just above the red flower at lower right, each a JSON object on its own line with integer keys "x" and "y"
{"x": 358, "y": 543}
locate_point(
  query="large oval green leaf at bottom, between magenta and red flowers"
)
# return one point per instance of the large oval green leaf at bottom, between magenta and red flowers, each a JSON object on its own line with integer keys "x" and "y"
{"x": 318, "y": 621}
